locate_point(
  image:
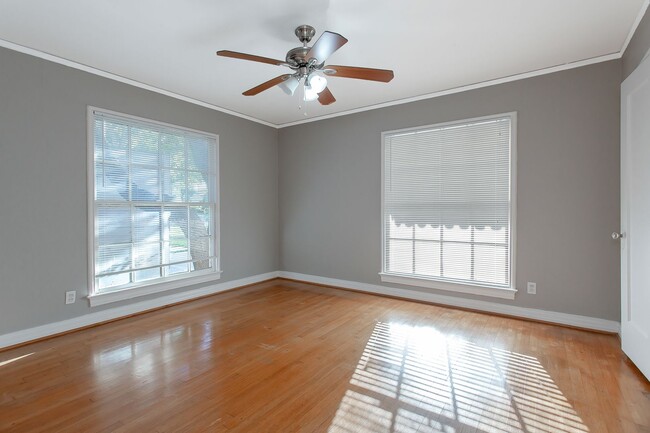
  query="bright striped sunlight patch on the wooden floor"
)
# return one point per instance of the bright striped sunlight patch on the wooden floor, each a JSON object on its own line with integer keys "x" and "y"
{"x": 413, "y": 379}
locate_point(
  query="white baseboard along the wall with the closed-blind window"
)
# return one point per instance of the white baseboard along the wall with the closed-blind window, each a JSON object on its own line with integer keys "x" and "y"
{"x": 490, "y": 307}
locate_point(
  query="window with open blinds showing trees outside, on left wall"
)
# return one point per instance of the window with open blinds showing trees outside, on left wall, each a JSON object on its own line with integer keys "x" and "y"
{"x": 154, "y": 205}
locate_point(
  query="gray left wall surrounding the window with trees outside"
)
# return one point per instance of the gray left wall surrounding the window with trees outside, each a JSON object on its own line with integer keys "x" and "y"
{"x": 43, "y": 242}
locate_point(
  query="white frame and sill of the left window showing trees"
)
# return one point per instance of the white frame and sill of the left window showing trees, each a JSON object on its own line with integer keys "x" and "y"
{"x": 148, "y": 287}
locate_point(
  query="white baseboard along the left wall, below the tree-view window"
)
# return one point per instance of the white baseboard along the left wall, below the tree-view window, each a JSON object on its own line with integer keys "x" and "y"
{"x": 38, "y": 332}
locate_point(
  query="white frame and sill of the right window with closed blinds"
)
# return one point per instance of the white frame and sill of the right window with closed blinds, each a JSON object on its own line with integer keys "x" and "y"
{"x": 434, "y": 283}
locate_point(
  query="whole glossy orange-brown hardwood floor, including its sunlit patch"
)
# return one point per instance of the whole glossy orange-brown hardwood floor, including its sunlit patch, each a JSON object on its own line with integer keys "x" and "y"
{"x": 291, "y": 357}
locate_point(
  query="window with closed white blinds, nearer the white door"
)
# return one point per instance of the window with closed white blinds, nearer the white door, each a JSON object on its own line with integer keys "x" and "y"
{"x": 448, "y": 202}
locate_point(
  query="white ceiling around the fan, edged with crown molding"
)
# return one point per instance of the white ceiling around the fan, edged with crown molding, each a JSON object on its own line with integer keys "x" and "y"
{"x": 432, "y": 45}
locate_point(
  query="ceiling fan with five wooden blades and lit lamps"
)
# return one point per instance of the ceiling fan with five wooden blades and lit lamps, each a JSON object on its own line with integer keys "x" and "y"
{"x": 308, "y": 64}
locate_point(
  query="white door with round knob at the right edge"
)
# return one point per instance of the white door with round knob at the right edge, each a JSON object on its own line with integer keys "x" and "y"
{"x": 635, "y": 217}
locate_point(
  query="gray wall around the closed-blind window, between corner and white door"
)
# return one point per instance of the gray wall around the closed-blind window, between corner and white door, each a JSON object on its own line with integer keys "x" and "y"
{"x": 568, "y": 187}
